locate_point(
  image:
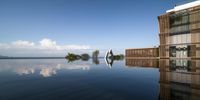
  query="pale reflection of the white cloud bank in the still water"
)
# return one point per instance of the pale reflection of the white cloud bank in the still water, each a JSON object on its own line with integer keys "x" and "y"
{"x": 46, "y": 69}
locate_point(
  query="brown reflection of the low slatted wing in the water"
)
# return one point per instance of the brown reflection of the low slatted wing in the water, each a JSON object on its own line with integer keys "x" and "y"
{"x": 142, "y": 63}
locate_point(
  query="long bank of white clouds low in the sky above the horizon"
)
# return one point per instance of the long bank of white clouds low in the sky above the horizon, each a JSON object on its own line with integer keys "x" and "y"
{"x": 44, "y": 46}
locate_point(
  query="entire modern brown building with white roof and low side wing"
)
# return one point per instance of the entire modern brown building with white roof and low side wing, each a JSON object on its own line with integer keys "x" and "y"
{"x": 179, "y": 32}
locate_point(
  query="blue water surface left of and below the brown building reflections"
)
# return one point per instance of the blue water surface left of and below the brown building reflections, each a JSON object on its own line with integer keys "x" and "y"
{"x": 88, "y": 81}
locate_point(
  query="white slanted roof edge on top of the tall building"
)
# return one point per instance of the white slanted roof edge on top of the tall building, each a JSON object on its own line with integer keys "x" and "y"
{"x": 185, "y": 6}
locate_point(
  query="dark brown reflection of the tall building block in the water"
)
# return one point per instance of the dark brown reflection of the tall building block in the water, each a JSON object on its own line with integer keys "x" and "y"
{"x": 179, "y": 79}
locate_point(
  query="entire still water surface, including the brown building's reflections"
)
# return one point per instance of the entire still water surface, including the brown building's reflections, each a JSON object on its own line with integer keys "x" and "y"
{"x": 56, "y": 79}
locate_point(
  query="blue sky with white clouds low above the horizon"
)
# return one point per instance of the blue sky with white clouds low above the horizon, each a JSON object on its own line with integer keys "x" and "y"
{"x": 55, "y": 27}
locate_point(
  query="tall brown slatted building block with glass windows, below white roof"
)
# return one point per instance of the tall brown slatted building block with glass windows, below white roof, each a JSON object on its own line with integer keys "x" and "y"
{"x": 183, "y": 35}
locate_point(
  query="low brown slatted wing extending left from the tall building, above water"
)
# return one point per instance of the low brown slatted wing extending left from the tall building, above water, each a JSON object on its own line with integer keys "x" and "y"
{"x": 143, "y": 53}
